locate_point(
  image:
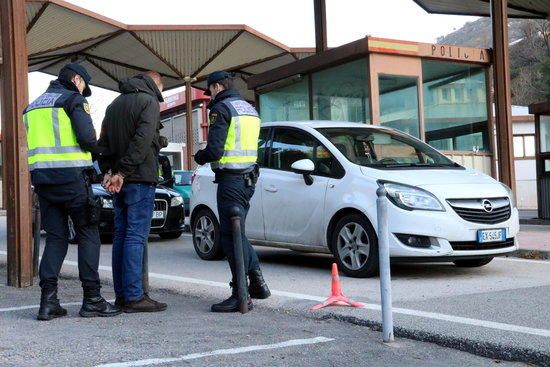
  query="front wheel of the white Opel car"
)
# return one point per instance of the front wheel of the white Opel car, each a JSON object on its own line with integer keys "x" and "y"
{"x": 355, "y": 246}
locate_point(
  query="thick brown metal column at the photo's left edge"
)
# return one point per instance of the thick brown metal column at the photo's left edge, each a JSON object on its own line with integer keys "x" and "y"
{"x": 14, "y": 142}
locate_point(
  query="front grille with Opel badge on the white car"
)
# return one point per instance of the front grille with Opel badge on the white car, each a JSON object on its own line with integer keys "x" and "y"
{"x": 485, "y": 211}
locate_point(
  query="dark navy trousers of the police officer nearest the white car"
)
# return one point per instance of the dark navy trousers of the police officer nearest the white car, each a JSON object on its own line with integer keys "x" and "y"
{"x": 233, "y": 191}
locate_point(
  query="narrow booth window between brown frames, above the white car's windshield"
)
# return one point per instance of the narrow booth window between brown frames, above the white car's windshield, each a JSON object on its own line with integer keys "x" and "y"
{"x": 399, "y": 103}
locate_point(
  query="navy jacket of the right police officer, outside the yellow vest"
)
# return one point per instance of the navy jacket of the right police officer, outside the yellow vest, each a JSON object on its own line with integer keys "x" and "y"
{"x": 220, "y": 119}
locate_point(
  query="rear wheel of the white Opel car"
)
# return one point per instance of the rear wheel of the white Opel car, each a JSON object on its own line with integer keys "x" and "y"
{"x": 206, "y": 236}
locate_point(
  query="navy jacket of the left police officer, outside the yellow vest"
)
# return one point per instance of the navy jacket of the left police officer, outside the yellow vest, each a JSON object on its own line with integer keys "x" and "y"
{"x": 77, "y": 108}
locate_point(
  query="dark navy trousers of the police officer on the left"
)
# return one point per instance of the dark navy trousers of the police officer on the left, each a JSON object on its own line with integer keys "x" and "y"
{"x": 57, "y": 204}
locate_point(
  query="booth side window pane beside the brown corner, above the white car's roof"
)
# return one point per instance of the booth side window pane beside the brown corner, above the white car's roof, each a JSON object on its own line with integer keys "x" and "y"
{"x": 341, "y": 93}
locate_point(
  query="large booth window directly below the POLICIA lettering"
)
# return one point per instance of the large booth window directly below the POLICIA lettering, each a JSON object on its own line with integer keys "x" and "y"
{"x": 455, "y": 121}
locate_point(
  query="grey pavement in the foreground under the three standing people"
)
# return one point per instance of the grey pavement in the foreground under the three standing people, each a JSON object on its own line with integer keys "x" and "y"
{"x": 188, "y": 334}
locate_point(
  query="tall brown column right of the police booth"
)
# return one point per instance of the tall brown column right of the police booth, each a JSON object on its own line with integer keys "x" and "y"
{"x": 503, "y": 96}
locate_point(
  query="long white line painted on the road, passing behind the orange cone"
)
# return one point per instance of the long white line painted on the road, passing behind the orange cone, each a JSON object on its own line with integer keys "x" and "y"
{"x": 368, "y": 306}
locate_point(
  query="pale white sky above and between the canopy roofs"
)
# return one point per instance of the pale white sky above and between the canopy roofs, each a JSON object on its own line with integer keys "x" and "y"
{"x": 290, "y": 22}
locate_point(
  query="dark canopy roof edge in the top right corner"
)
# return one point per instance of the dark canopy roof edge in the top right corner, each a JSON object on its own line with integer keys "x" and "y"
{"x": 516, "y": 8}
